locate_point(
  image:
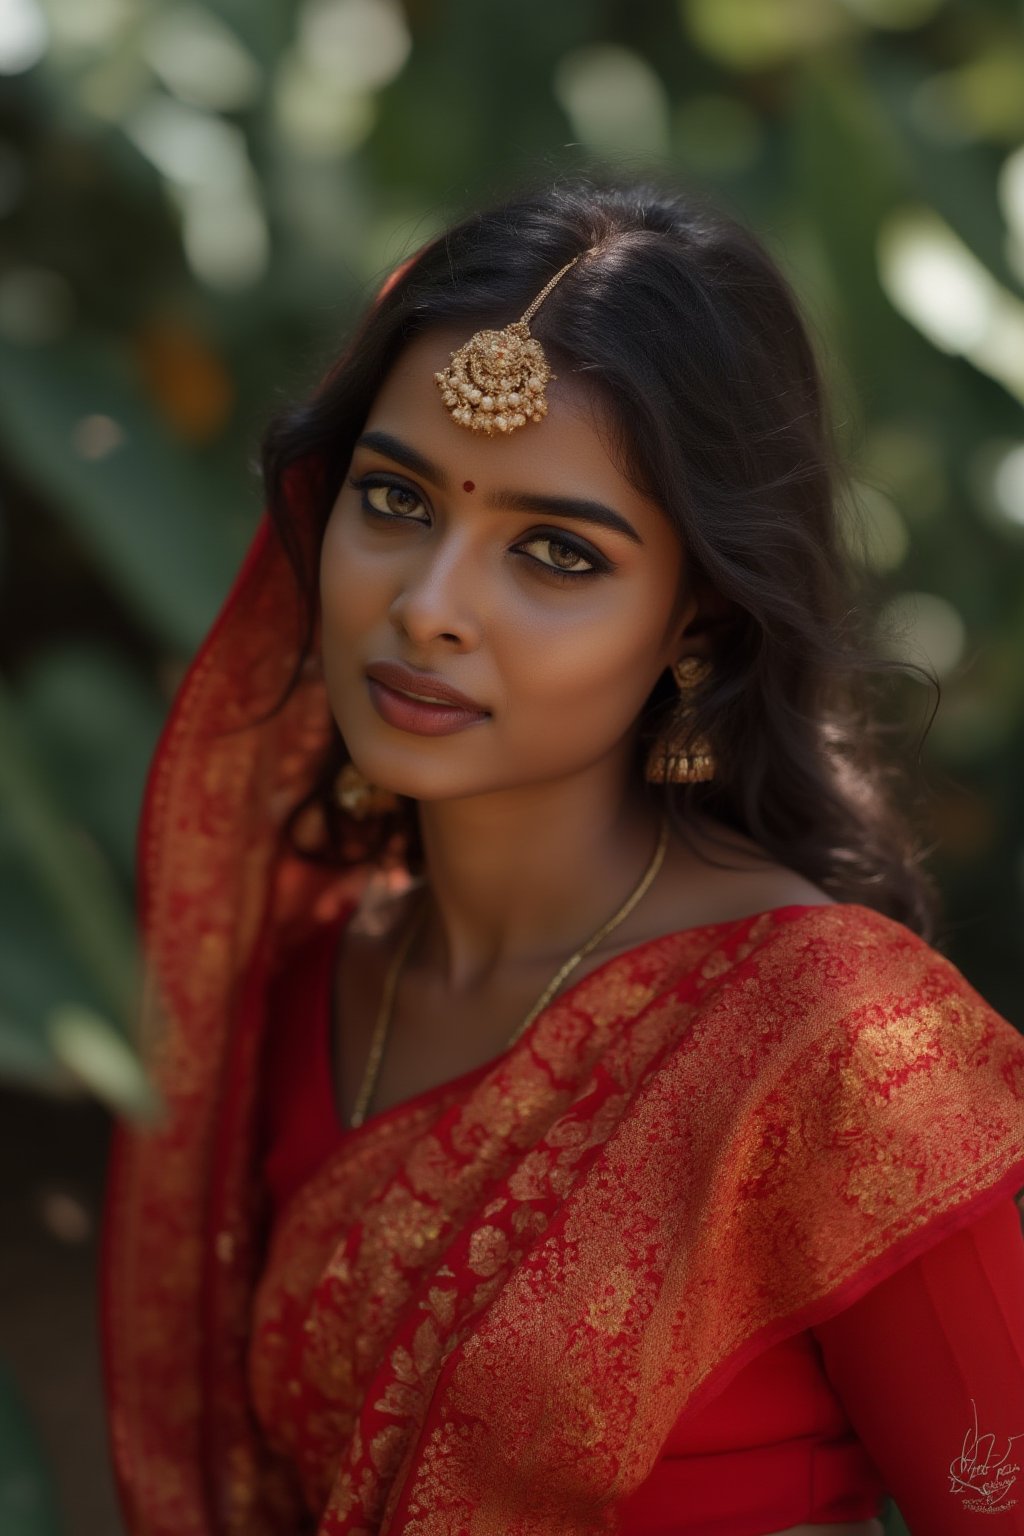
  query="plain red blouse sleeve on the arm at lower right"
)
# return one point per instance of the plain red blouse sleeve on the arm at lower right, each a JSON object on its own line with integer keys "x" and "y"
{"x": 930, "y": 1366}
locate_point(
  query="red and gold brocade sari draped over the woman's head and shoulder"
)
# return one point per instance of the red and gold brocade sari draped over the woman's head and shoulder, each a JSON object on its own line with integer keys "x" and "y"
{"x": 710, "y": 1144}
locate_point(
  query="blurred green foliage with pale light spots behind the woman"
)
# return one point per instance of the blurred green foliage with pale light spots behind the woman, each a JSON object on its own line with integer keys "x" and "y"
{"x": 196, "y": 200}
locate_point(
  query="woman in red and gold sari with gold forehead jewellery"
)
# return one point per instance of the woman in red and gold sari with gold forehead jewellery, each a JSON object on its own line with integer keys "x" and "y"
{"x": 570, "y": 1127}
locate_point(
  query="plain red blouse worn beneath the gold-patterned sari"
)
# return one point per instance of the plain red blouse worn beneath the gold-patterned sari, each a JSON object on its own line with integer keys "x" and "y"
{"x": 802, "y": 1432}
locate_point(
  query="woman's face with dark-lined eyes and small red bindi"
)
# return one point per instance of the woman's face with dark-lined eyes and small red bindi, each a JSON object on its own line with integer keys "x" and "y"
{"x": 441, "y": 555}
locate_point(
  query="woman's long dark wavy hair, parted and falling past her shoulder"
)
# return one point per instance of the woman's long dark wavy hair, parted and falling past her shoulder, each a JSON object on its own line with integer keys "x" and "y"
{"x": 690, "y": 334}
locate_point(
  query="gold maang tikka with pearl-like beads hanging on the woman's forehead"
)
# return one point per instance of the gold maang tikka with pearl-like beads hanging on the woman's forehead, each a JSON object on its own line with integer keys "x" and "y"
{"x": 497, "y": 380}
